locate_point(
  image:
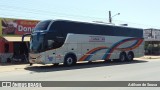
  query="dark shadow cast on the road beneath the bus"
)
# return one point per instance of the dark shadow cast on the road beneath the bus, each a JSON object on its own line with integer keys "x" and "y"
{"x": 52, "y": 68}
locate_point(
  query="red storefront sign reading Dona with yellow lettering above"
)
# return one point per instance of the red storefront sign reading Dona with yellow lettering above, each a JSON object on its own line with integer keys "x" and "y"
{"x": 17, "y": 26}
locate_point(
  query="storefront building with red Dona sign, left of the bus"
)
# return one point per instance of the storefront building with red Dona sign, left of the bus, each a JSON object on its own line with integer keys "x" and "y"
{"x": 11, "y": 31}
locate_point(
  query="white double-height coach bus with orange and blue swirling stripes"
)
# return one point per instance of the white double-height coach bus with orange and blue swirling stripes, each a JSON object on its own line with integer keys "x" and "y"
{"x": 68, "y": 42}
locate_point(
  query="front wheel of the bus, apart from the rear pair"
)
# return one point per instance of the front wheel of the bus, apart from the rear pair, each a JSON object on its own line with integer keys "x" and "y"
{"x": 70, "y": 60}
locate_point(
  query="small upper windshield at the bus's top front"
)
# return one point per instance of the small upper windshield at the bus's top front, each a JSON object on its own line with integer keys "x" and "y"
{"x": 42, "y": 25}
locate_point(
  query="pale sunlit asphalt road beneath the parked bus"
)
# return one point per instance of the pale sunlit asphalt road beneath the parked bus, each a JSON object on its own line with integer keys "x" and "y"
{"x": 138, "y": 70}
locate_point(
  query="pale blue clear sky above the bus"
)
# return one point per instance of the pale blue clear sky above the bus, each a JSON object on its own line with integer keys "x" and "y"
{"x": 135, "y": 13}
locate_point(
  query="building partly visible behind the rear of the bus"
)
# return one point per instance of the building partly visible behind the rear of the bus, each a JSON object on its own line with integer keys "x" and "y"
{"x": 152, "y": 41}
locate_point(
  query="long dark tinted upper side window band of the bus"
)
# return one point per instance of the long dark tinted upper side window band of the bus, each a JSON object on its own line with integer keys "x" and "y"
{"x": 66, "y": 27}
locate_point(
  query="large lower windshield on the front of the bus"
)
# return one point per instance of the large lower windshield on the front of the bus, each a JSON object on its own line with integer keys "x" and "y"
{"x": 36, "y": 44}
